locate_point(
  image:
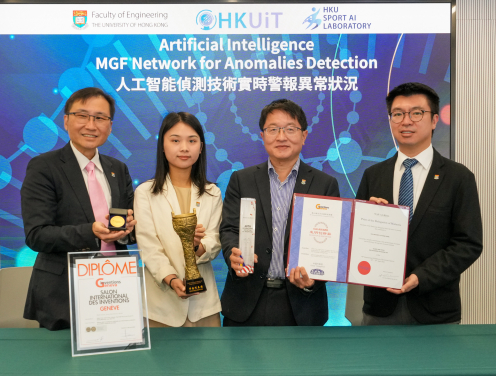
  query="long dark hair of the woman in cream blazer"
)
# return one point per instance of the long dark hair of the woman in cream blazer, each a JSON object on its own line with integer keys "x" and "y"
{"x": 199, "y": 169}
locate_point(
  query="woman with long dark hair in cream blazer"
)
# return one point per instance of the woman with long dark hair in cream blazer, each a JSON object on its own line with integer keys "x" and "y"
{"x": 180, "y": 184}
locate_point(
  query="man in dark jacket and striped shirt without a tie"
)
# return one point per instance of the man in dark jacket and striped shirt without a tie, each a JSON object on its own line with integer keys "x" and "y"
{"x": 267, "y": 297}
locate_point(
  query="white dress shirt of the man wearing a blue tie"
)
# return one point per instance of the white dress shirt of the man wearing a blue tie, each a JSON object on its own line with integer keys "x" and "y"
{"x": 419, "y": 172}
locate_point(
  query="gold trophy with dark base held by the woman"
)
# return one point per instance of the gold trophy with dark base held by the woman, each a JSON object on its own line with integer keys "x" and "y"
{"x": 185, "y": 225}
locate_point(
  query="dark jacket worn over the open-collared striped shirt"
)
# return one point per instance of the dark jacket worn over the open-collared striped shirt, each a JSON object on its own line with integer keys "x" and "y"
{"x": 240, "y": 295}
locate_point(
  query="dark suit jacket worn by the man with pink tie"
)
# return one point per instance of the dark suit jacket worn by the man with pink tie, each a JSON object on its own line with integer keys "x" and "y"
{"x": 58, "y": 218}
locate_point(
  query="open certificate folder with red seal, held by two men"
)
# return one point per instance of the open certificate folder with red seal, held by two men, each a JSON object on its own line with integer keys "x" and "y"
{"x": 350, "y": 241}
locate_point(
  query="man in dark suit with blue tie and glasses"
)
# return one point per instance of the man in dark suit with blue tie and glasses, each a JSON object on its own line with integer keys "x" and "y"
{"x": 445, "y": 232}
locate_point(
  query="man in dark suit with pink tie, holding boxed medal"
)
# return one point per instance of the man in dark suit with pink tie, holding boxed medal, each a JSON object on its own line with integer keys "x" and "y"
{"x": 59, "y": 204}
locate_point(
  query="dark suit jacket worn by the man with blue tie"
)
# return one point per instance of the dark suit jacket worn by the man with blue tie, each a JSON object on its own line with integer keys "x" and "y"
{"x": 444, "y": 239}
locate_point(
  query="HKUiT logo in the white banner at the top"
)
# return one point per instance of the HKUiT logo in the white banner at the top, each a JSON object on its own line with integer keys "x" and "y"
{"x": 207, "y": 20}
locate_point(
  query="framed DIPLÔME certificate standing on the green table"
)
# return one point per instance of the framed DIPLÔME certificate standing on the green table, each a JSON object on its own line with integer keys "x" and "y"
{"x": 107, "y": 301}
